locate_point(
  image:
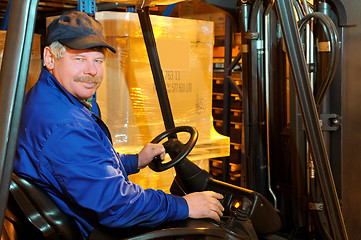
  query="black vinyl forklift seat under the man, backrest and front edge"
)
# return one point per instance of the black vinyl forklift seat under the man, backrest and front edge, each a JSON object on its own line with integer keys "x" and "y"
{"x": 32, "y": 214}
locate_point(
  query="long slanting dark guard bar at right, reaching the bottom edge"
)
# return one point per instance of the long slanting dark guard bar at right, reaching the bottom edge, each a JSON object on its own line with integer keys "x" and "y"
{"x": 310, "y": 116}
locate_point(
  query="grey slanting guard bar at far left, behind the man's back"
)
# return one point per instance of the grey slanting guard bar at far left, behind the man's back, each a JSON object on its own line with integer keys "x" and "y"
{"x": 13, "y": 76}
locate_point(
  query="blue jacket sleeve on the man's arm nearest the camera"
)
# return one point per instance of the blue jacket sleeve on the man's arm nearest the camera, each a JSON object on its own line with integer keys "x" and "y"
{"x": 91, "y": 179}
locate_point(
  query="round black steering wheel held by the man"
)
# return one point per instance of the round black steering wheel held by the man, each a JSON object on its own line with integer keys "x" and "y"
{"x": 156, "y": 165}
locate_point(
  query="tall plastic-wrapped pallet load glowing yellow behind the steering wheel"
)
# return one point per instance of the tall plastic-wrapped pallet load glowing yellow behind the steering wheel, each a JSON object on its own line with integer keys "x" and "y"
{"x": 127, "y": 96}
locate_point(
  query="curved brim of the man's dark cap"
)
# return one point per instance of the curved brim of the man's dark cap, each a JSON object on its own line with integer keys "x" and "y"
{"x": 86, "y": 42}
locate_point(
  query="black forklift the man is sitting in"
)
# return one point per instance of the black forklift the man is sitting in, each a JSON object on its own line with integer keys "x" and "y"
{"x": 249, "y": 213}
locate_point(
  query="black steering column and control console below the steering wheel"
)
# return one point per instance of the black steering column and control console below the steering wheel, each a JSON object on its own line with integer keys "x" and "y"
{"x": 261, "y": 213}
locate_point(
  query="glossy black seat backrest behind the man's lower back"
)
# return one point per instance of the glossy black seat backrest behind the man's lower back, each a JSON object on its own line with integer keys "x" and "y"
{"x": 41, "y": 211}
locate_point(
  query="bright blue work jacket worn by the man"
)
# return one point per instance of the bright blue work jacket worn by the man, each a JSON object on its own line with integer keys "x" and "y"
{"x": 66, "y": 149}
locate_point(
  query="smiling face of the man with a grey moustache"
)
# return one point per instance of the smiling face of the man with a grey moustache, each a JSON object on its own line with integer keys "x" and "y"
{"x": 80, "y": 72}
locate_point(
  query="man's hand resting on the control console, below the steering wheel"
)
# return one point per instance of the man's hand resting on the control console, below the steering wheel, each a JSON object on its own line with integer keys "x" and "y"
{"x": 204, "y": 205}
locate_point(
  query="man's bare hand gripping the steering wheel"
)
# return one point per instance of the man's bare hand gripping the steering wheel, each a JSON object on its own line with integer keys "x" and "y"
{"x": 149, "y": 151}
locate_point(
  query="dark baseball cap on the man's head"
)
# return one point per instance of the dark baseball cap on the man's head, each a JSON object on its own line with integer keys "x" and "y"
{"x": 77, "y": 30}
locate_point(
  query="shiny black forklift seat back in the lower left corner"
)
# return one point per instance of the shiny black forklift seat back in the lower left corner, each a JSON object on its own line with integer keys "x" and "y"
{"x": 34, "y": 215}
